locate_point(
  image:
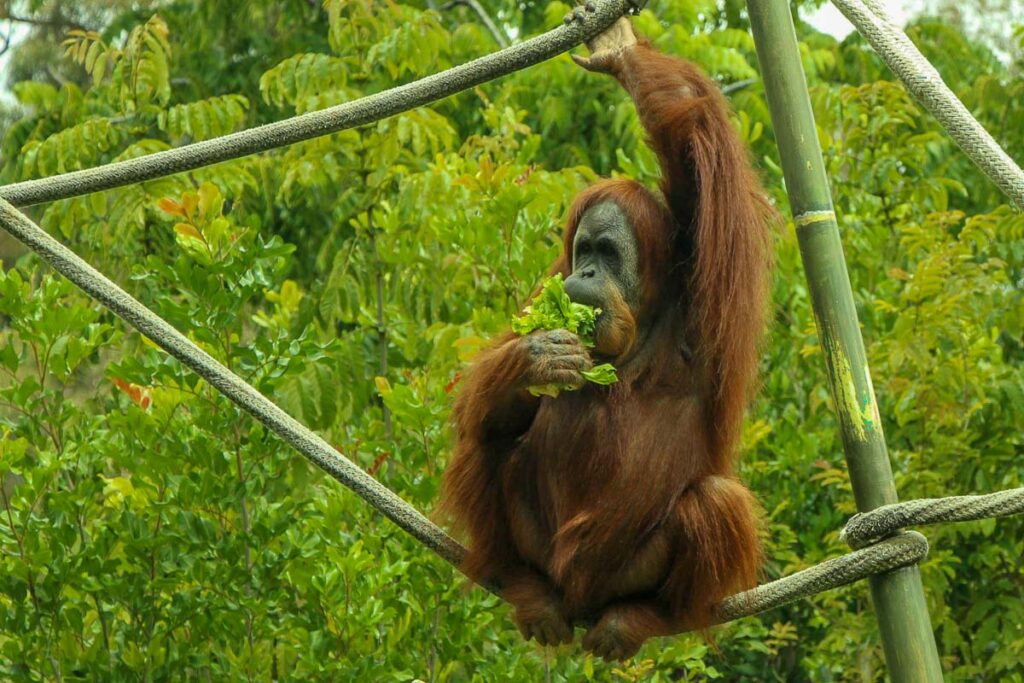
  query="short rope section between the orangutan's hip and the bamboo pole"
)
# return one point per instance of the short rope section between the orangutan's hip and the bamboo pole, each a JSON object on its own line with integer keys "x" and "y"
{"x": 900, "y": 551}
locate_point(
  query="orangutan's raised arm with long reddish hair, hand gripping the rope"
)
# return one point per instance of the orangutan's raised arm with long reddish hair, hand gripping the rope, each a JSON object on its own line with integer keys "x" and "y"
{"x": 715, "y": 197}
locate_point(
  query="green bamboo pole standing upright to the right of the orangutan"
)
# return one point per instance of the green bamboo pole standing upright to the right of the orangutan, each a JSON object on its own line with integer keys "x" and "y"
{"x": 899, "y": 596}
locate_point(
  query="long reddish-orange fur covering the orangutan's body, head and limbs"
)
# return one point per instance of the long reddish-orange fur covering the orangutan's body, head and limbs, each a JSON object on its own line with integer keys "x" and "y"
{"x": 618, "y": 506}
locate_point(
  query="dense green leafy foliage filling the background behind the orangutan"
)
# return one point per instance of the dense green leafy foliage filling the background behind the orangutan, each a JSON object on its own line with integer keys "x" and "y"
{"x": 150, "y": 531}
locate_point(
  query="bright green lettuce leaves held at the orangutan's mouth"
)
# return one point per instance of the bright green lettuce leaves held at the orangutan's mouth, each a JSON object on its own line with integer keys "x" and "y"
{"x": 552, "y": 310}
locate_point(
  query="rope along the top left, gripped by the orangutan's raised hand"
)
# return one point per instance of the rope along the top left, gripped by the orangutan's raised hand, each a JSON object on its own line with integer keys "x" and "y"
{"x": 331, "y": 120}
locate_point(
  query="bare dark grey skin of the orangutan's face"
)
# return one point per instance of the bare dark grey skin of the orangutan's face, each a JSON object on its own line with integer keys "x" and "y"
{"x": 605, "y": 259}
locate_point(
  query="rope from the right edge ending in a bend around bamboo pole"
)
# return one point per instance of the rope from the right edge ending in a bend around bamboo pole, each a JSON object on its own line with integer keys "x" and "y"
{"x": 880, "y": 523}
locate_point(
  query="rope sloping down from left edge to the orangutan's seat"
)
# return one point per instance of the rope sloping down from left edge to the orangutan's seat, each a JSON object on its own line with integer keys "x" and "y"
{"x": 316, "y": 450}
